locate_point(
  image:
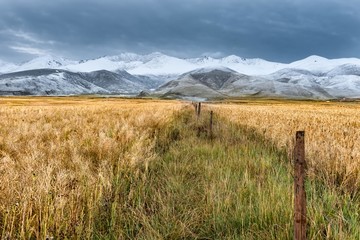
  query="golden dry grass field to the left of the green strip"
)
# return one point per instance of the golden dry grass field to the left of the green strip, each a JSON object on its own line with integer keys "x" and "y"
{"x": 59, "y": 156}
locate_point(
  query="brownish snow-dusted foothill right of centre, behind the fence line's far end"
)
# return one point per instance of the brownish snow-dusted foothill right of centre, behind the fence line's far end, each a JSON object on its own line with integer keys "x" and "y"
{"x": 215, "y": 83}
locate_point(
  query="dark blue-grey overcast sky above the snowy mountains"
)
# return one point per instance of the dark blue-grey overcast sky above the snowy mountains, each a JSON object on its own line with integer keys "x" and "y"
{"x": 277, "y": 30}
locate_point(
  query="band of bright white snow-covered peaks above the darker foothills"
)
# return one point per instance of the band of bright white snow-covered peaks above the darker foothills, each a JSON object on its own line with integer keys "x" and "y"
{"x": 157, "y": 63}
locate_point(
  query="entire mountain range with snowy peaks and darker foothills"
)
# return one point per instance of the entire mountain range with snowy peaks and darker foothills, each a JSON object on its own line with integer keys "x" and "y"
{"x": 314, "y": 77}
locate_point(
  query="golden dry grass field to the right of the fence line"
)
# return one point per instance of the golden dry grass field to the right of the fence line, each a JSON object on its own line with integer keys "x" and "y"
{"x": 332, "y": 134}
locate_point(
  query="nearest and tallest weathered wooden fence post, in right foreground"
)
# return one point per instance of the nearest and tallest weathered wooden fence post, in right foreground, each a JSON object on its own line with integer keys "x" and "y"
{"x": 299, "y": 187}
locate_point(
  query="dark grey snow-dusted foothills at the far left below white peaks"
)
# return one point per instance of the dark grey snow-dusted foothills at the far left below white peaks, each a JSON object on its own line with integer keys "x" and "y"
{"x": 62, "y": 82}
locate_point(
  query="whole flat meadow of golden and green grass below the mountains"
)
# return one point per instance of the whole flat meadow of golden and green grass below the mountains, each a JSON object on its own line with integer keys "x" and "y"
{"x": 111, "y": 168}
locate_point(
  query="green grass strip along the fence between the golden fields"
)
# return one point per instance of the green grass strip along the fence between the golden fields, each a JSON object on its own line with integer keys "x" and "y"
{"x": 231, "y": 185}
